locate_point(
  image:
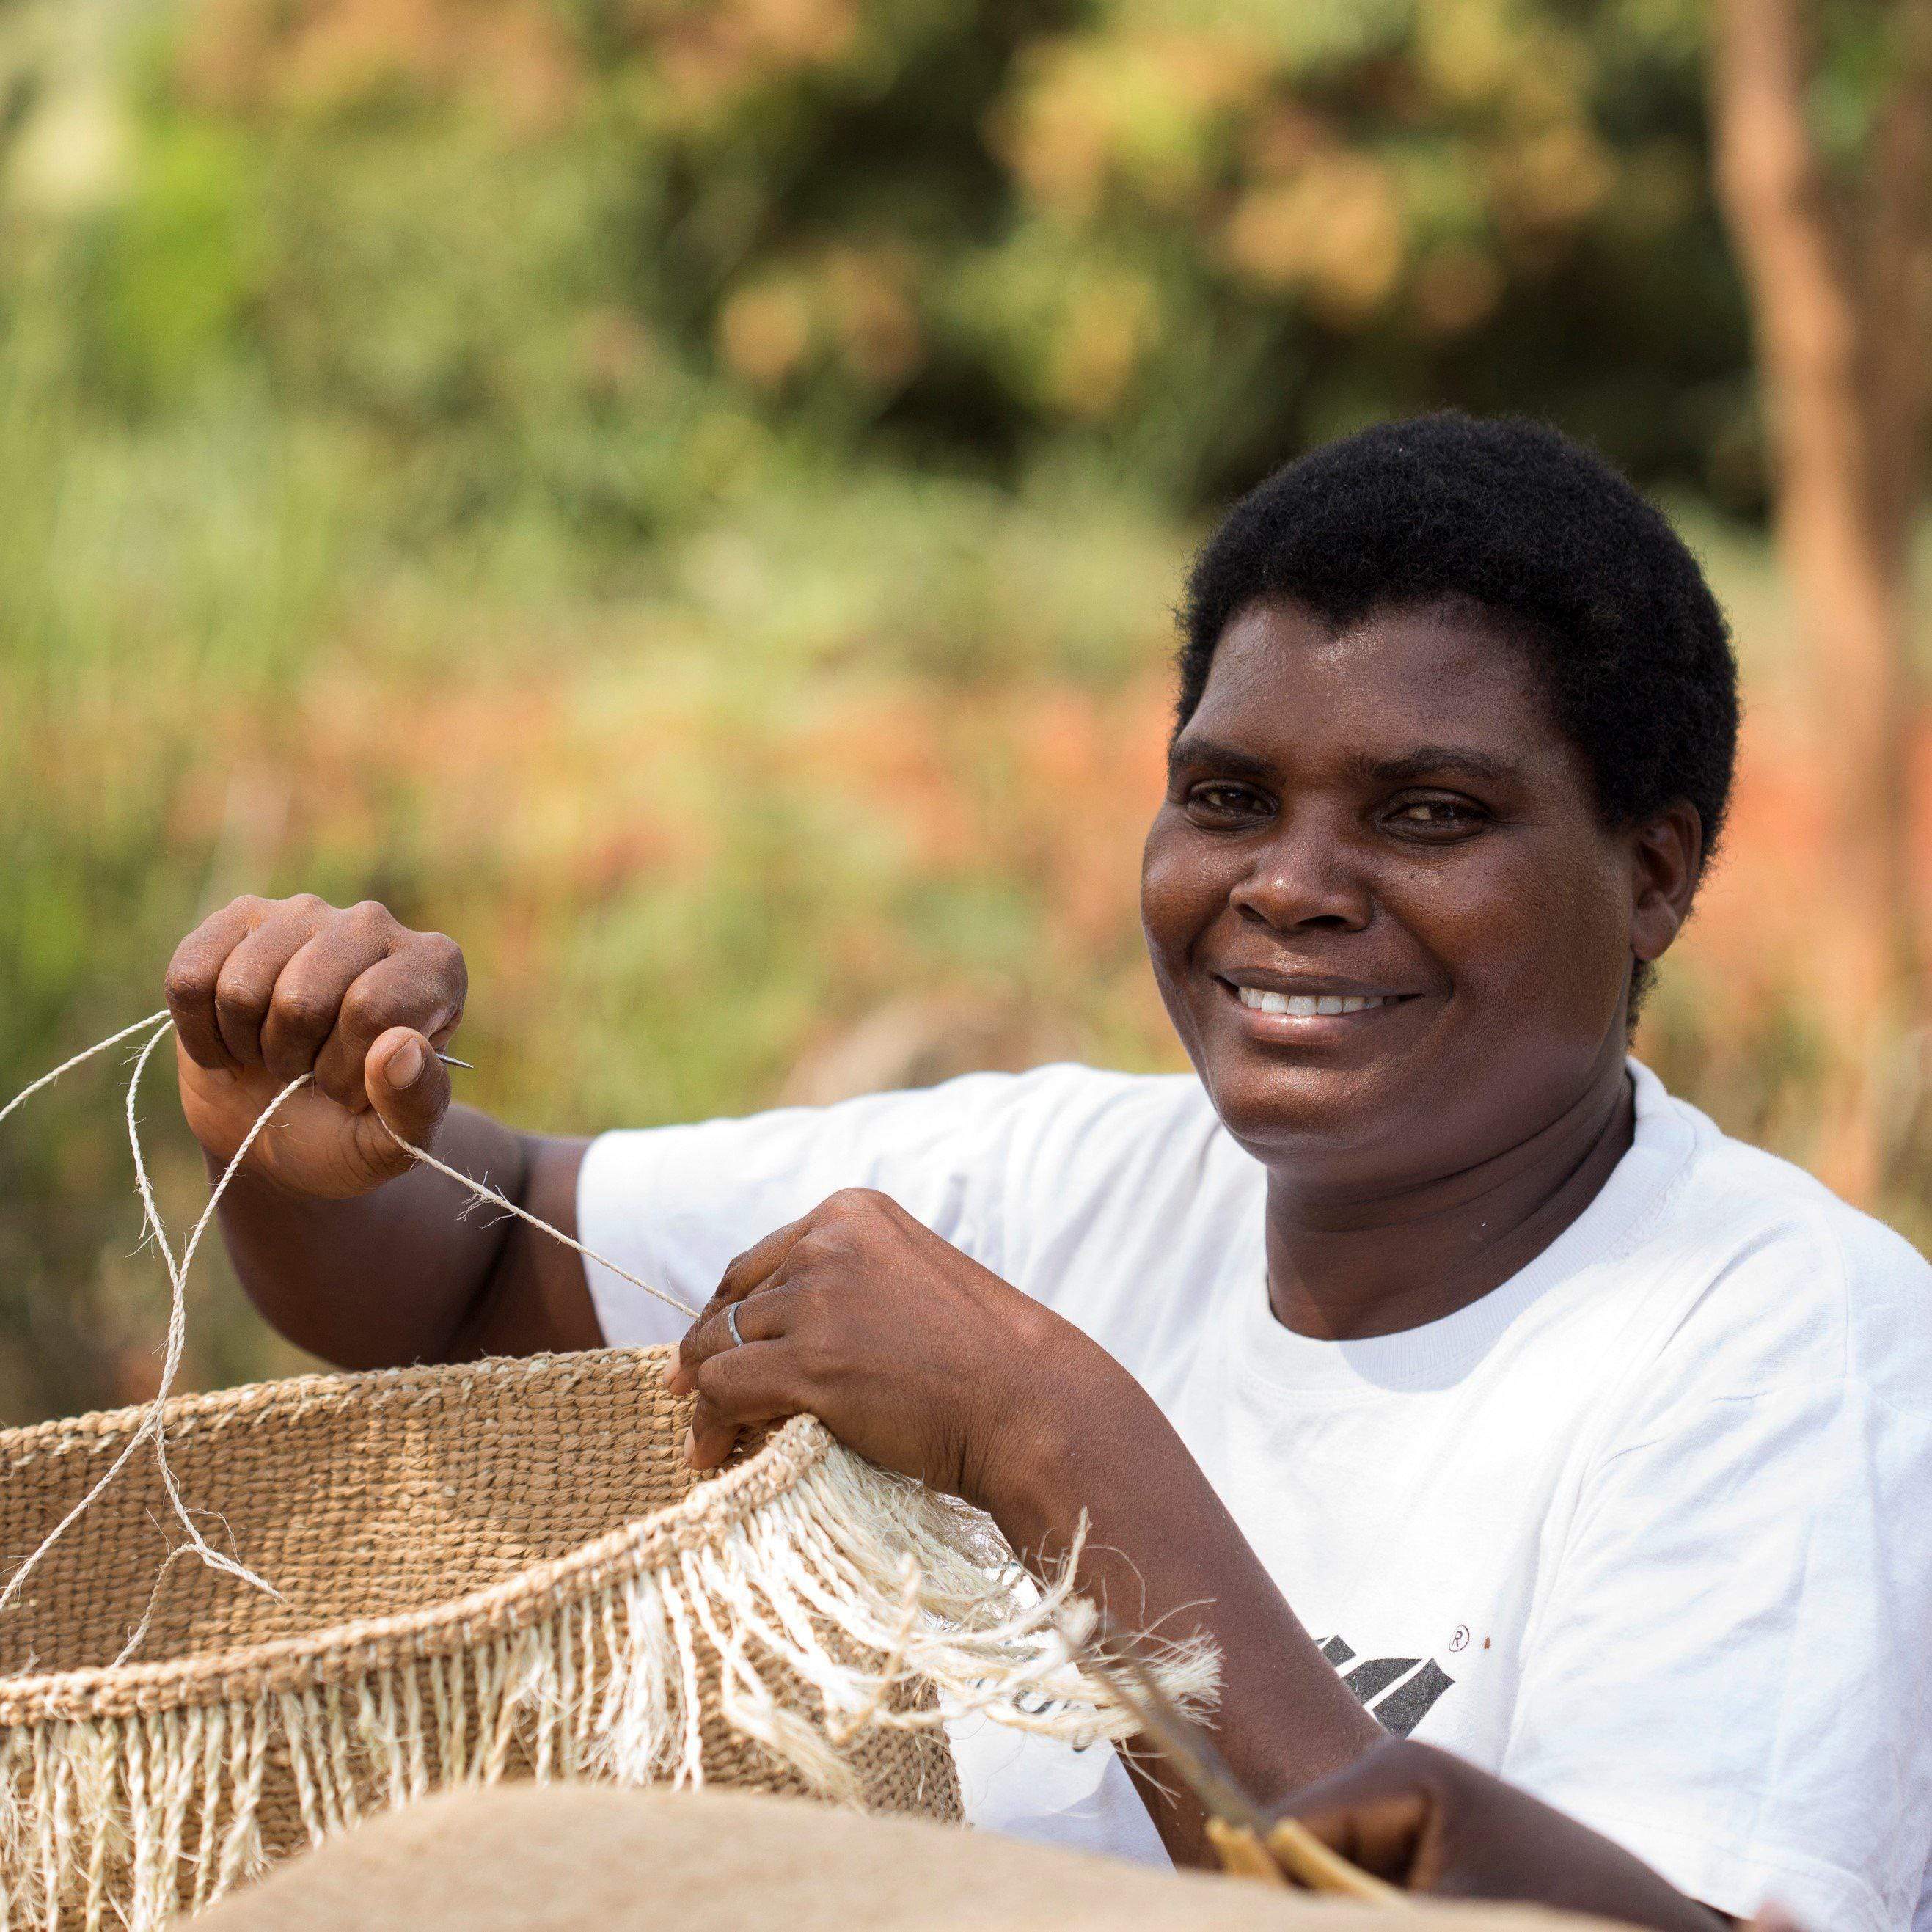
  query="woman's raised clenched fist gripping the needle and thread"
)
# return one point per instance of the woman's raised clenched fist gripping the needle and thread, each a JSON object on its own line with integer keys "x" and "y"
{"x": 273, "y": 988}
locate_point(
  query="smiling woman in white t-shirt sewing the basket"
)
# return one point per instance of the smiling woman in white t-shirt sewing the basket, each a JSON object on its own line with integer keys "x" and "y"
{"x": 1421, "y": 1351}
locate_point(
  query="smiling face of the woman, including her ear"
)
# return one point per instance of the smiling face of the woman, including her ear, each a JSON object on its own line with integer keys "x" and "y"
{"x": 1384, "y": 834}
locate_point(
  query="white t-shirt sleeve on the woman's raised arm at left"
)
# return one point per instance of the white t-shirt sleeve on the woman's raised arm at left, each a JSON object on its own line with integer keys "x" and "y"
{"x": 675, "y": 1205}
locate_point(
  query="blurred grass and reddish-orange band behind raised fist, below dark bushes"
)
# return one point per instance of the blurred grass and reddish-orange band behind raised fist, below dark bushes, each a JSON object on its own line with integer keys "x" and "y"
{"x": 693, "y": 818}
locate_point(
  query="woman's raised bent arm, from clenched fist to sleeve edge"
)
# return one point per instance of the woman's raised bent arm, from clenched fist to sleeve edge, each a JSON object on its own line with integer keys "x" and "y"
{"x": 339, "y": 1237}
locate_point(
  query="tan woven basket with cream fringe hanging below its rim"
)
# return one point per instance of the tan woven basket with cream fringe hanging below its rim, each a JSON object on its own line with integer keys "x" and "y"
{"x": 488, "y": 1572}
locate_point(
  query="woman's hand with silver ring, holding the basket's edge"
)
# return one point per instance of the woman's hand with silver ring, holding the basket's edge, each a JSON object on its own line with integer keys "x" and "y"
{"x": 907, "y": 1350}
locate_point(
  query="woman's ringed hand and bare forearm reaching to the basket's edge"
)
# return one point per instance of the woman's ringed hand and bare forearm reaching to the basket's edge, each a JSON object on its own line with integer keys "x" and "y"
{"x": 924, "y": 1361}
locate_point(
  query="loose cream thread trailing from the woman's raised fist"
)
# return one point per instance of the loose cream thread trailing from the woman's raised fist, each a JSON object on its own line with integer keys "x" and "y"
{"x": 154, "y": 1427}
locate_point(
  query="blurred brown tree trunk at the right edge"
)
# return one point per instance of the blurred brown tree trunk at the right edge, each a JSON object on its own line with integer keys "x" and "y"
{"x": 1840, "y": 273}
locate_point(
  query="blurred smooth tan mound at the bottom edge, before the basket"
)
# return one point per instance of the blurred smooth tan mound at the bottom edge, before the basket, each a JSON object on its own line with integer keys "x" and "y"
{"x": 573, "y": 1860}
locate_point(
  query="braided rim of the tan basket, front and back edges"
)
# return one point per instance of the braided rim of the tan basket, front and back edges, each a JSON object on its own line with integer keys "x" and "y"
{"x": 360, "y": 1647}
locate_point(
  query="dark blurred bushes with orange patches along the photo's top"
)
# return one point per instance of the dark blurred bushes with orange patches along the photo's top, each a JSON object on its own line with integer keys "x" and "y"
{"x": 621, "y": 256}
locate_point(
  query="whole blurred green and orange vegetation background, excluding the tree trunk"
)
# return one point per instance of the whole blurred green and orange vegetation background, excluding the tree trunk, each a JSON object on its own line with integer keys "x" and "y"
{"x": 687, "y": 496}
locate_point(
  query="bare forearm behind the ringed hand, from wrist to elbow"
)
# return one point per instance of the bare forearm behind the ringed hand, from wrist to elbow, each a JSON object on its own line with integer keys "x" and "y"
{"x": 1162, "y": 1554}
